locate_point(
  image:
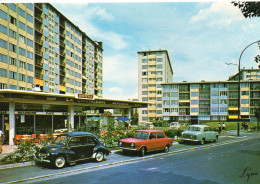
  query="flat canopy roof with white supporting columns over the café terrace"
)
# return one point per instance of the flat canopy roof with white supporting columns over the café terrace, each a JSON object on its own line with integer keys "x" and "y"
{"x": 16, "y": 102}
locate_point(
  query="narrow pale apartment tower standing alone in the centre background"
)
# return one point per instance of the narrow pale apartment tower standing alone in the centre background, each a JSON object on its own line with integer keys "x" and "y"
{"x": 154, "y": 68}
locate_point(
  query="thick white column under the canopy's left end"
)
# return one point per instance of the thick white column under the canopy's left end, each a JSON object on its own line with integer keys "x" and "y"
{"x": 11, "y": 123}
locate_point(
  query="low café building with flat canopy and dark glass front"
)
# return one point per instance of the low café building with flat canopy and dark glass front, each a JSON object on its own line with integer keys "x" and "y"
{"x": 28, "y": 113}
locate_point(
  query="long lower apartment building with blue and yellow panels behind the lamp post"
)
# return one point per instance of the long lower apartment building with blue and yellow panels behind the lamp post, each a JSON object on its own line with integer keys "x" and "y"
{"x": 193, "y": 102}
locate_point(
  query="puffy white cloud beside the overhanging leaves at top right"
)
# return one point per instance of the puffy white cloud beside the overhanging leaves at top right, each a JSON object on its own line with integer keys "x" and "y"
{"x": 218, "y": 13}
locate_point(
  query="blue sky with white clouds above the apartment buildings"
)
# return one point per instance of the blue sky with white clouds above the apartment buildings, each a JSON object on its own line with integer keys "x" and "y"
{"x": 200, "y": 38}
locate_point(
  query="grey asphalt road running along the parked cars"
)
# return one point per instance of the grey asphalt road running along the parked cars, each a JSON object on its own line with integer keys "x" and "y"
{"x": 235, "y": 161}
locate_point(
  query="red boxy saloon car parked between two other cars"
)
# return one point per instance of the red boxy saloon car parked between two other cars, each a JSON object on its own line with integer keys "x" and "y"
{"x": 146, "y": 141}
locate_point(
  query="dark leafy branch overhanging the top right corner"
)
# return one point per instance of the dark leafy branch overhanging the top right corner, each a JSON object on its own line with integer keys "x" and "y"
{"x": 248, "y": 9}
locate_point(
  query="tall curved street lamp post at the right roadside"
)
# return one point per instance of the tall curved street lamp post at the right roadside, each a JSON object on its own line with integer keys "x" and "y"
{"x": 239, "y": 83}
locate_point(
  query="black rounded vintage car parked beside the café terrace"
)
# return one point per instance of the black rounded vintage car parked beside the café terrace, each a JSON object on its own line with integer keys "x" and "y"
{"x": 72, "y": 147}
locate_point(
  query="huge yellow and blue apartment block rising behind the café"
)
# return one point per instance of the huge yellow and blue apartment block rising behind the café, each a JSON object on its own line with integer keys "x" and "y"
{"x": 40, "y": 46}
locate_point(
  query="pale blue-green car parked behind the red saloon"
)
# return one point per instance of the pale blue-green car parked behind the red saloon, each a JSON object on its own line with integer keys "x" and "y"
{"x": 199, "y": 133}
